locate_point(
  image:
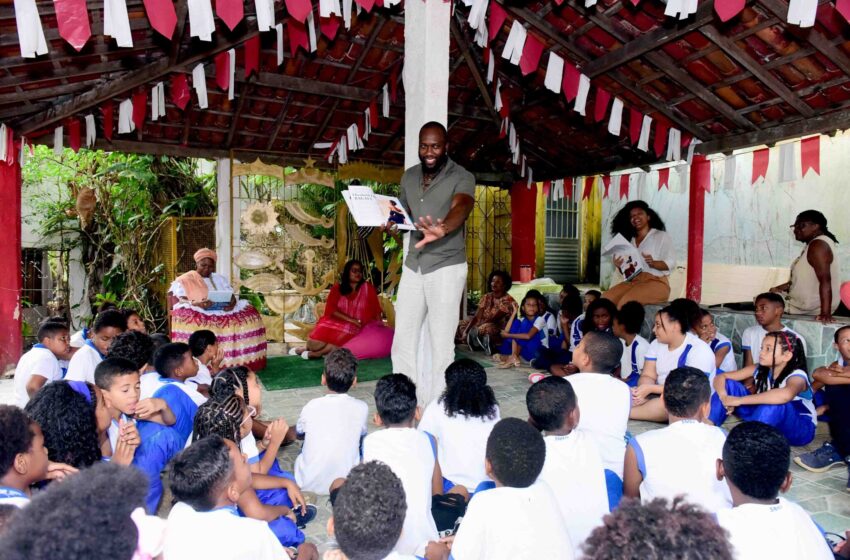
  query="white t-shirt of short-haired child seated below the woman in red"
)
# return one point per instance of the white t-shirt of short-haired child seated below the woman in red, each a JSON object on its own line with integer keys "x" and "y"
{"x": 332, "y": 426}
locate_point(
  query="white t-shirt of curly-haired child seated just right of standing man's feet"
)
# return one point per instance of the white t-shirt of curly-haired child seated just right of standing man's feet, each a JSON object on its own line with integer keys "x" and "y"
{"x": 461, "y": 443}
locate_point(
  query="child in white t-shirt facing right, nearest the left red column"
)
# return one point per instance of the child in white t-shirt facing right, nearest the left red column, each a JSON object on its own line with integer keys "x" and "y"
{"x": 41, "y": 364}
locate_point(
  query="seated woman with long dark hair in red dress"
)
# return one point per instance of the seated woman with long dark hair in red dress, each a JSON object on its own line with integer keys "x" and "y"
{"x": 352, "y": 304}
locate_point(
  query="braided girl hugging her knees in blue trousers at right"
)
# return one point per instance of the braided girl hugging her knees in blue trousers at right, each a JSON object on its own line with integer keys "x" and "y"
{"x": 783, "y": 394}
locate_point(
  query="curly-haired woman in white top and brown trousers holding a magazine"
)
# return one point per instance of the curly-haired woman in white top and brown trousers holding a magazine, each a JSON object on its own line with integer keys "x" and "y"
{"x": 640, "y": 224}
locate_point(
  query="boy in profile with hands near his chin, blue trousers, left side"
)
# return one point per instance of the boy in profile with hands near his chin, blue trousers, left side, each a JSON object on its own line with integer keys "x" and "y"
{"x": 118, "y": 379}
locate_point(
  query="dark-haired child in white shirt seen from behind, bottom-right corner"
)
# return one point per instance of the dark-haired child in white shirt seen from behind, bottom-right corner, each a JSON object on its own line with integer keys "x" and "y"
{"x": 762, "y": 525}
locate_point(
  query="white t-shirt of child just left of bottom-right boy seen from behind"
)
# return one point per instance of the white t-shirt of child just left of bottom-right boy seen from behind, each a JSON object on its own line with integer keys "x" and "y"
{"x": 682, "y": 459}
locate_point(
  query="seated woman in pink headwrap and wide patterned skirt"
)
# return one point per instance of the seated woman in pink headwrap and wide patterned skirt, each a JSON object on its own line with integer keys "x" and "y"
{"x": 238, "y": 327}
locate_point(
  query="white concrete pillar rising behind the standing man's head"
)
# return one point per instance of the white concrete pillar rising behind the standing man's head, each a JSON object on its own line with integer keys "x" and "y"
{"x": 426, "y": 70}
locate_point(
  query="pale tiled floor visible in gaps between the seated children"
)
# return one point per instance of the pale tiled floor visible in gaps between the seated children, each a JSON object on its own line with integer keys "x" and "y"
{"x": 823, "y": 495}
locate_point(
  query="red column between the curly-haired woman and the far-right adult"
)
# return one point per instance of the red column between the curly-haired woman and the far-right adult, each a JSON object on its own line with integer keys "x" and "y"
{"x": 700, "y": 183}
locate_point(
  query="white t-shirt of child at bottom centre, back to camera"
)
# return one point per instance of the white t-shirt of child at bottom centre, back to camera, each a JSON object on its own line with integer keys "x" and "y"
{"x": 513, "y": 523}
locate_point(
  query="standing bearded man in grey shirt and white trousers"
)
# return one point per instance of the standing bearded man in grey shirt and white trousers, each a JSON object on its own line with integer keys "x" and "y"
{"x": 439, "y": 195}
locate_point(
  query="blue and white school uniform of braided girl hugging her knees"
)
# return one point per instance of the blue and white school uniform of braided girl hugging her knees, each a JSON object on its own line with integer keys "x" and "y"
{"x": 796, "y": 419}
